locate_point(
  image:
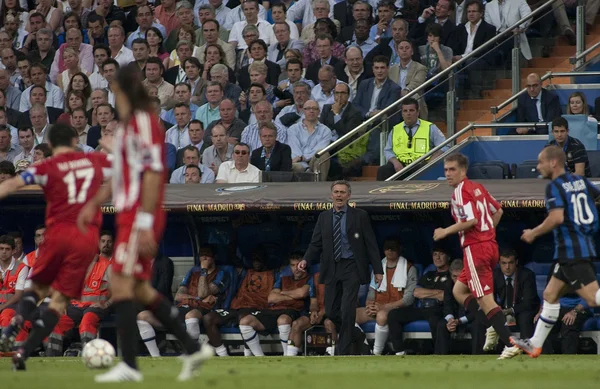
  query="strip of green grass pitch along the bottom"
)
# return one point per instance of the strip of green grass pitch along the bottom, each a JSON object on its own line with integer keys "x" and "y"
{"x": 410, "y": 372}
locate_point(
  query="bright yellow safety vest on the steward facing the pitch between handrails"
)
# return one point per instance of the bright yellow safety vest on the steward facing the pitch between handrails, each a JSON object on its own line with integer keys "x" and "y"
{"x": 418, "y": 147}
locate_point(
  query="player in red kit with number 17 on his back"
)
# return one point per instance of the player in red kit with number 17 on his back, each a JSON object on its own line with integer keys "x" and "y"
{"x": 69, "y": 179}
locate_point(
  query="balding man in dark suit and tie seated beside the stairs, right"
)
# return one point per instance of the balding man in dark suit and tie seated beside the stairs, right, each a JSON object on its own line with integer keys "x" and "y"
{"x": 537, "y": 105}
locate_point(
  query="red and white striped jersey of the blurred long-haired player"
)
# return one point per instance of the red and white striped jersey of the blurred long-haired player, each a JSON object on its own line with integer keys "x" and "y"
{"x": 138, "y": 148}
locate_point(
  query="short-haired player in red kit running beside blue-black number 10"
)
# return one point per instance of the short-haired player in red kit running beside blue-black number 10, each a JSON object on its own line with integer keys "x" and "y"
{"x": 476, "y": 214}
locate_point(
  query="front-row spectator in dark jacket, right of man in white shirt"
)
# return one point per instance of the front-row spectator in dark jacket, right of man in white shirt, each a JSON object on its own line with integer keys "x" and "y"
{"x": 273, "y": 155}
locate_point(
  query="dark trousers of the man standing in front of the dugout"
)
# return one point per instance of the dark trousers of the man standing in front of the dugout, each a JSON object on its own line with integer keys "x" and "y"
{"x": 341, "y": 295}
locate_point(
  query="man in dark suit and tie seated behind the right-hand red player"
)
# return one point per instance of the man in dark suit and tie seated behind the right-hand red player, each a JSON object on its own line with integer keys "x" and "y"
{"x": 515, "y": 291}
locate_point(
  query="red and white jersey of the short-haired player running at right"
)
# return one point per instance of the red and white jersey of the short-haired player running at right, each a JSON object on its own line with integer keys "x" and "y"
{"x": 471, "y": 200}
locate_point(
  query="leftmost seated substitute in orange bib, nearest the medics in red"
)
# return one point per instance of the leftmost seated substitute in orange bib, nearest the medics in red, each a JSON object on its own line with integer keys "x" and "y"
{"x": 202, "y": 289}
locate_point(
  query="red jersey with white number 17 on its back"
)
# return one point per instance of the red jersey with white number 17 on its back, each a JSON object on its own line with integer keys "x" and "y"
{"x": 69, "y": 181}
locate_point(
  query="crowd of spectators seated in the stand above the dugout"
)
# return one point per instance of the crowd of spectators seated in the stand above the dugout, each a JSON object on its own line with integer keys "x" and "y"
{"x": 283, "y": 79}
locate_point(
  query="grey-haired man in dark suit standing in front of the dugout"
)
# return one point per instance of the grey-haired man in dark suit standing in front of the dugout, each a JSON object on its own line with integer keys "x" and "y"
{"x": 344, "y": 241}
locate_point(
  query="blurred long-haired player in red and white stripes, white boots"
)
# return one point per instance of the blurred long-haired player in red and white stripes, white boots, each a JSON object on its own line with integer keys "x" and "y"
{"x": 138, "y": 191}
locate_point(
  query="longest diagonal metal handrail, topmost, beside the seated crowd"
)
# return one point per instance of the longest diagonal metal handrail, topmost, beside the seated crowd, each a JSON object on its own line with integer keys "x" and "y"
{"x": 390, "y": 110}
